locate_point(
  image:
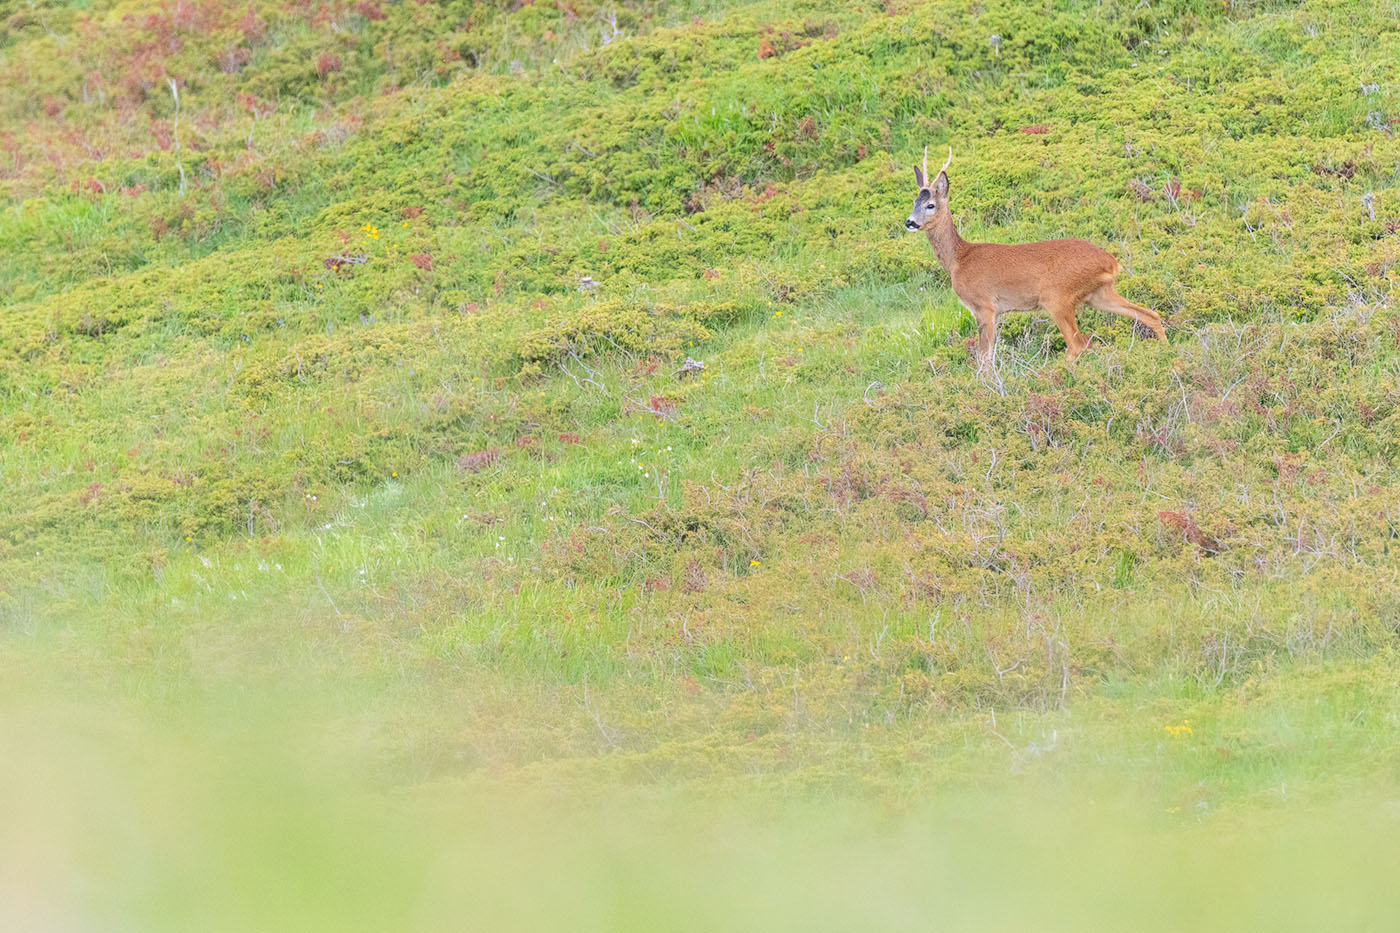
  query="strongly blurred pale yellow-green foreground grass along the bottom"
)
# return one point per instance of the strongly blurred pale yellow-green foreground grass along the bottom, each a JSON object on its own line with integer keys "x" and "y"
{"x": 131, "y": 826}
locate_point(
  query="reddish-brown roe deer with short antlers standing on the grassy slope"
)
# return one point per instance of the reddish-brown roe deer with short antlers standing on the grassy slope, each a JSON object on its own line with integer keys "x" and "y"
{"x": 992, "y": 278}
